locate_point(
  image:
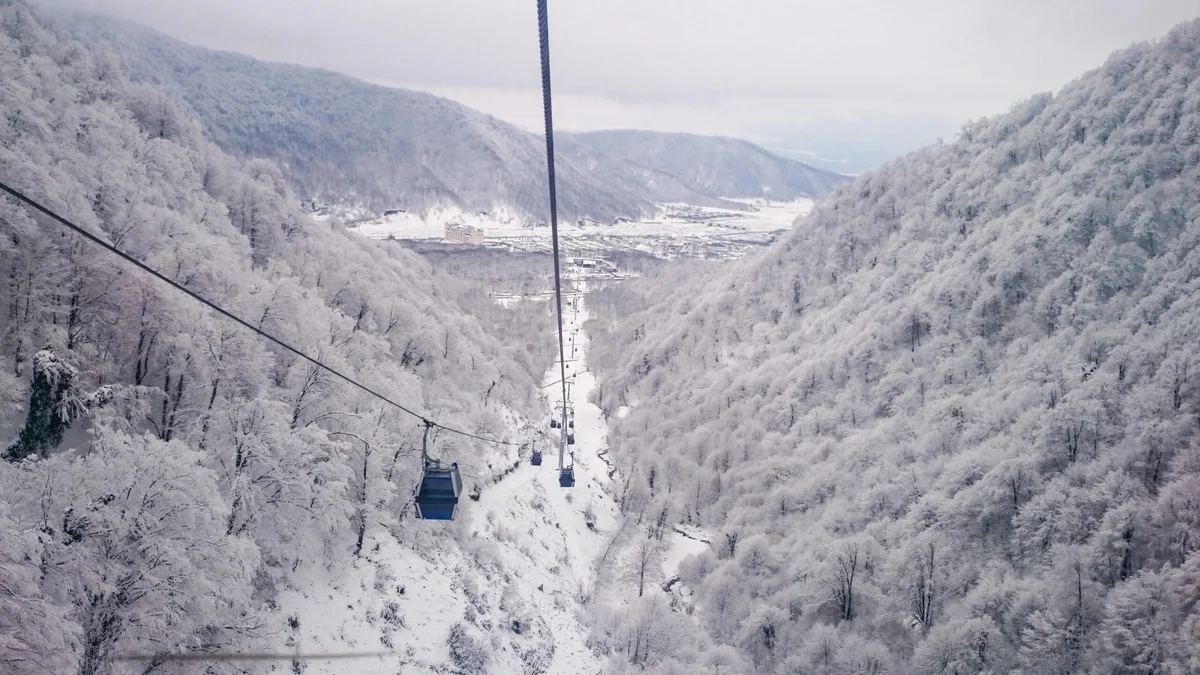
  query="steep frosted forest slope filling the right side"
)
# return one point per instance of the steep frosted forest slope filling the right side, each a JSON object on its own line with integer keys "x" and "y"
{"x": 951, "y": 422}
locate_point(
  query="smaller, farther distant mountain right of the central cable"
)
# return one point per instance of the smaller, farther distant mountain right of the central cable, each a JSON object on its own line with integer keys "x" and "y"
{"x": 723, "y": 168}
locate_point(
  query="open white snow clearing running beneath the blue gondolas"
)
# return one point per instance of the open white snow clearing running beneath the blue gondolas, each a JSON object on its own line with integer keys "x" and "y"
{"x": 511, "y": 572}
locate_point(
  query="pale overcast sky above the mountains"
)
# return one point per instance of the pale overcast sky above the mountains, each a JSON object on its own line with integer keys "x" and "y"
{"x": 850, "y": 81}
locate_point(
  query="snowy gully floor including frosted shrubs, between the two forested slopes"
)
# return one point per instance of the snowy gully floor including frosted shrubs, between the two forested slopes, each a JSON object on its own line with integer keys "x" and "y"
{"x": 523, "y": 580}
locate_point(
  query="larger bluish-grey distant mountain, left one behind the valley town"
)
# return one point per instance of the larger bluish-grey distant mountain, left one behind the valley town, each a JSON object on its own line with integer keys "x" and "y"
{"x": 344, "y": 140}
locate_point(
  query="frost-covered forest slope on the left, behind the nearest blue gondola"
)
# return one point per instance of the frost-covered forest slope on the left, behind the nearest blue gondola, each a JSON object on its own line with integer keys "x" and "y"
{"x": 166, "y": 474}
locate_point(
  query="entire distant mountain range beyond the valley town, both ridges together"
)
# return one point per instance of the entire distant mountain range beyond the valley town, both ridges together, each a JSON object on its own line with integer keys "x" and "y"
{"x": 343, "y": 140}
